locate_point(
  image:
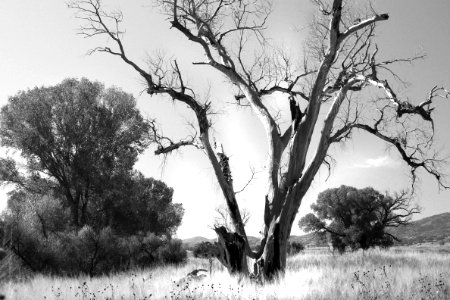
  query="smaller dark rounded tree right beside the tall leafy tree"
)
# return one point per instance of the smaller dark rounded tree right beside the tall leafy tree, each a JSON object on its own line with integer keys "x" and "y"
{"x": 138, "y": 204}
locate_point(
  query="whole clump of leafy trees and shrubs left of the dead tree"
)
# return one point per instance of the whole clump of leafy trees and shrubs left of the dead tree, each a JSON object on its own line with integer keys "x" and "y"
{"x": 78, "y": 205}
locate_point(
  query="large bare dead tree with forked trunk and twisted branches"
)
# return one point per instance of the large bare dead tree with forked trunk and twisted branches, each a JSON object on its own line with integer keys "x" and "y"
{"x": 341, "y": 62}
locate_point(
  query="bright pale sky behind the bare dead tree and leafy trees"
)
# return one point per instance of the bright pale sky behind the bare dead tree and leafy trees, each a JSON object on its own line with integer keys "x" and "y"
{"x": 39, "y": 46}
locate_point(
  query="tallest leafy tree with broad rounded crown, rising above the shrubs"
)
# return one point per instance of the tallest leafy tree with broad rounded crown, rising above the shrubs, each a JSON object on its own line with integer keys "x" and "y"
{"x": 76, "y": 134}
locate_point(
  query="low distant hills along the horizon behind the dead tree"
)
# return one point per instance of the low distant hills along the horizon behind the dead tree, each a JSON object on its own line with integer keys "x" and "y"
{"x": 432, "y": 229}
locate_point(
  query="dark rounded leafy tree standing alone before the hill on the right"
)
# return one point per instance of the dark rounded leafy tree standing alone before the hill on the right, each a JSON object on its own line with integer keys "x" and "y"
{"x": 358, "y": 218}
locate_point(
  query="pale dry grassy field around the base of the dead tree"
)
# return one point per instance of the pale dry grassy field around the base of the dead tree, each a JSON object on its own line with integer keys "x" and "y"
{"x": 398, "y": 273}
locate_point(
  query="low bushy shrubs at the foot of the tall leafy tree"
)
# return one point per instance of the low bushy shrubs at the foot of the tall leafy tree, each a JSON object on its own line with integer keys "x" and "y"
{"x": 44, "y": 240}
